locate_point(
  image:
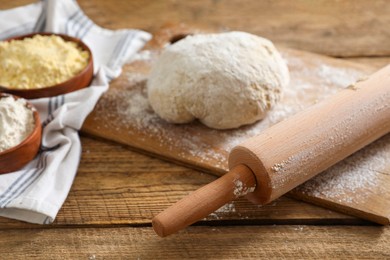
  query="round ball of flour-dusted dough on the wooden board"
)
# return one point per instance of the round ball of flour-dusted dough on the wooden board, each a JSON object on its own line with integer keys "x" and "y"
{"x": 225, "y": 80}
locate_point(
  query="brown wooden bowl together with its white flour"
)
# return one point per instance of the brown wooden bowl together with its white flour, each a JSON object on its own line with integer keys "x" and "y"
{"x": 20, "y": 133}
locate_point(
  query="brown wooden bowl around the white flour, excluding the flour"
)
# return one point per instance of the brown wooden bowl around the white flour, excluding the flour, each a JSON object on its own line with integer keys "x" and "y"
{"x": 18, "y": 156}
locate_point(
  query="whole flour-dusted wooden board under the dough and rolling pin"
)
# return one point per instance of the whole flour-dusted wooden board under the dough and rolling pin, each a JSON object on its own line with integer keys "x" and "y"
{"x": 359, "y": 185}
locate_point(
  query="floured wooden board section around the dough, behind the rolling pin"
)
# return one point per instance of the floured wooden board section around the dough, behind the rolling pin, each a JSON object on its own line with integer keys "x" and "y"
{"x": 313, "y": 78}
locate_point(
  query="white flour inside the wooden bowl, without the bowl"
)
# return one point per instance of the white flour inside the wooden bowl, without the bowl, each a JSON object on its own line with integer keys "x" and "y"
{"x": 16, "y": 122}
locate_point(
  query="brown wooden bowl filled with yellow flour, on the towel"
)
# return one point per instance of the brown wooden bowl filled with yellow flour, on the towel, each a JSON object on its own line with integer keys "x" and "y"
{"x": 44, "y": 65}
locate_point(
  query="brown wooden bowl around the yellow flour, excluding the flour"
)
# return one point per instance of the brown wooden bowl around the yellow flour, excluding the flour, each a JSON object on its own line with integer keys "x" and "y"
{"x": 79, "y": 81}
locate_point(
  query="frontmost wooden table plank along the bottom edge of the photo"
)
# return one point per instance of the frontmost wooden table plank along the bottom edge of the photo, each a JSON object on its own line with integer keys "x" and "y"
{"x": 254, "y": 242}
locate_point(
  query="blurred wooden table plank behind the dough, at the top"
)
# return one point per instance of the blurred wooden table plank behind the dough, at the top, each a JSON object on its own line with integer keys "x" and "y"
{"x": 317, "y": 26}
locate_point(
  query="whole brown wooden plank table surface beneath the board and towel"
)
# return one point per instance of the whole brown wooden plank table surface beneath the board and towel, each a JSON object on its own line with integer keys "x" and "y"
{"x": 117, "y": 191}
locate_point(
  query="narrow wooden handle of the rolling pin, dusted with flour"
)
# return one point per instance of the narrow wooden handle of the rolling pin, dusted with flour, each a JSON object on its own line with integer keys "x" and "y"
{"x": 199, "y": 204}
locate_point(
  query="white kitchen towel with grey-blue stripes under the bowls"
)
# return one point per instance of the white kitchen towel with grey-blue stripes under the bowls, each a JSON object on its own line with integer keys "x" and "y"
{"x": 36, "y": 193}
